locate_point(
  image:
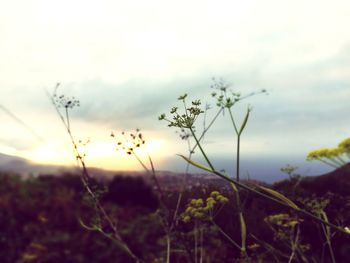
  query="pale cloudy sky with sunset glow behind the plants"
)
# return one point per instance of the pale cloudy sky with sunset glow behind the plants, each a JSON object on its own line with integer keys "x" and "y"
{"x": 128, "y": 61}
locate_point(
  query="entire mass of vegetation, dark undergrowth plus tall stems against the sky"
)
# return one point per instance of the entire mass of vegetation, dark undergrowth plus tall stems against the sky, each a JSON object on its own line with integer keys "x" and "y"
{"x": 126, "y": 219}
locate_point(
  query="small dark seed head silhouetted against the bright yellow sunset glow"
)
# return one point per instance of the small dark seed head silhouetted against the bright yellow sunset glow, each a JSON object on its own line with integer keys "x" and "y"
{"x": 129, "y": 143}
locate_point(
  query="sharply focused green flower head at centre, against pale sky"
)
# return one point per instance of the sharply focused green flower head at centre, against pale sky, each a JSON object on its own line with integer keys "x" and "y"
{"x": 186, "y": 119}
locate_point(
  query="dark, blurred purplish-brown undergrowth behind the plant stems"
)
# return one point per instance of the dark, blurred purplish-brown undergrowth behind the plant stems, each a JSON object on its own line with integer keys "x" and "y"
{"x": 40, "y": 221}
